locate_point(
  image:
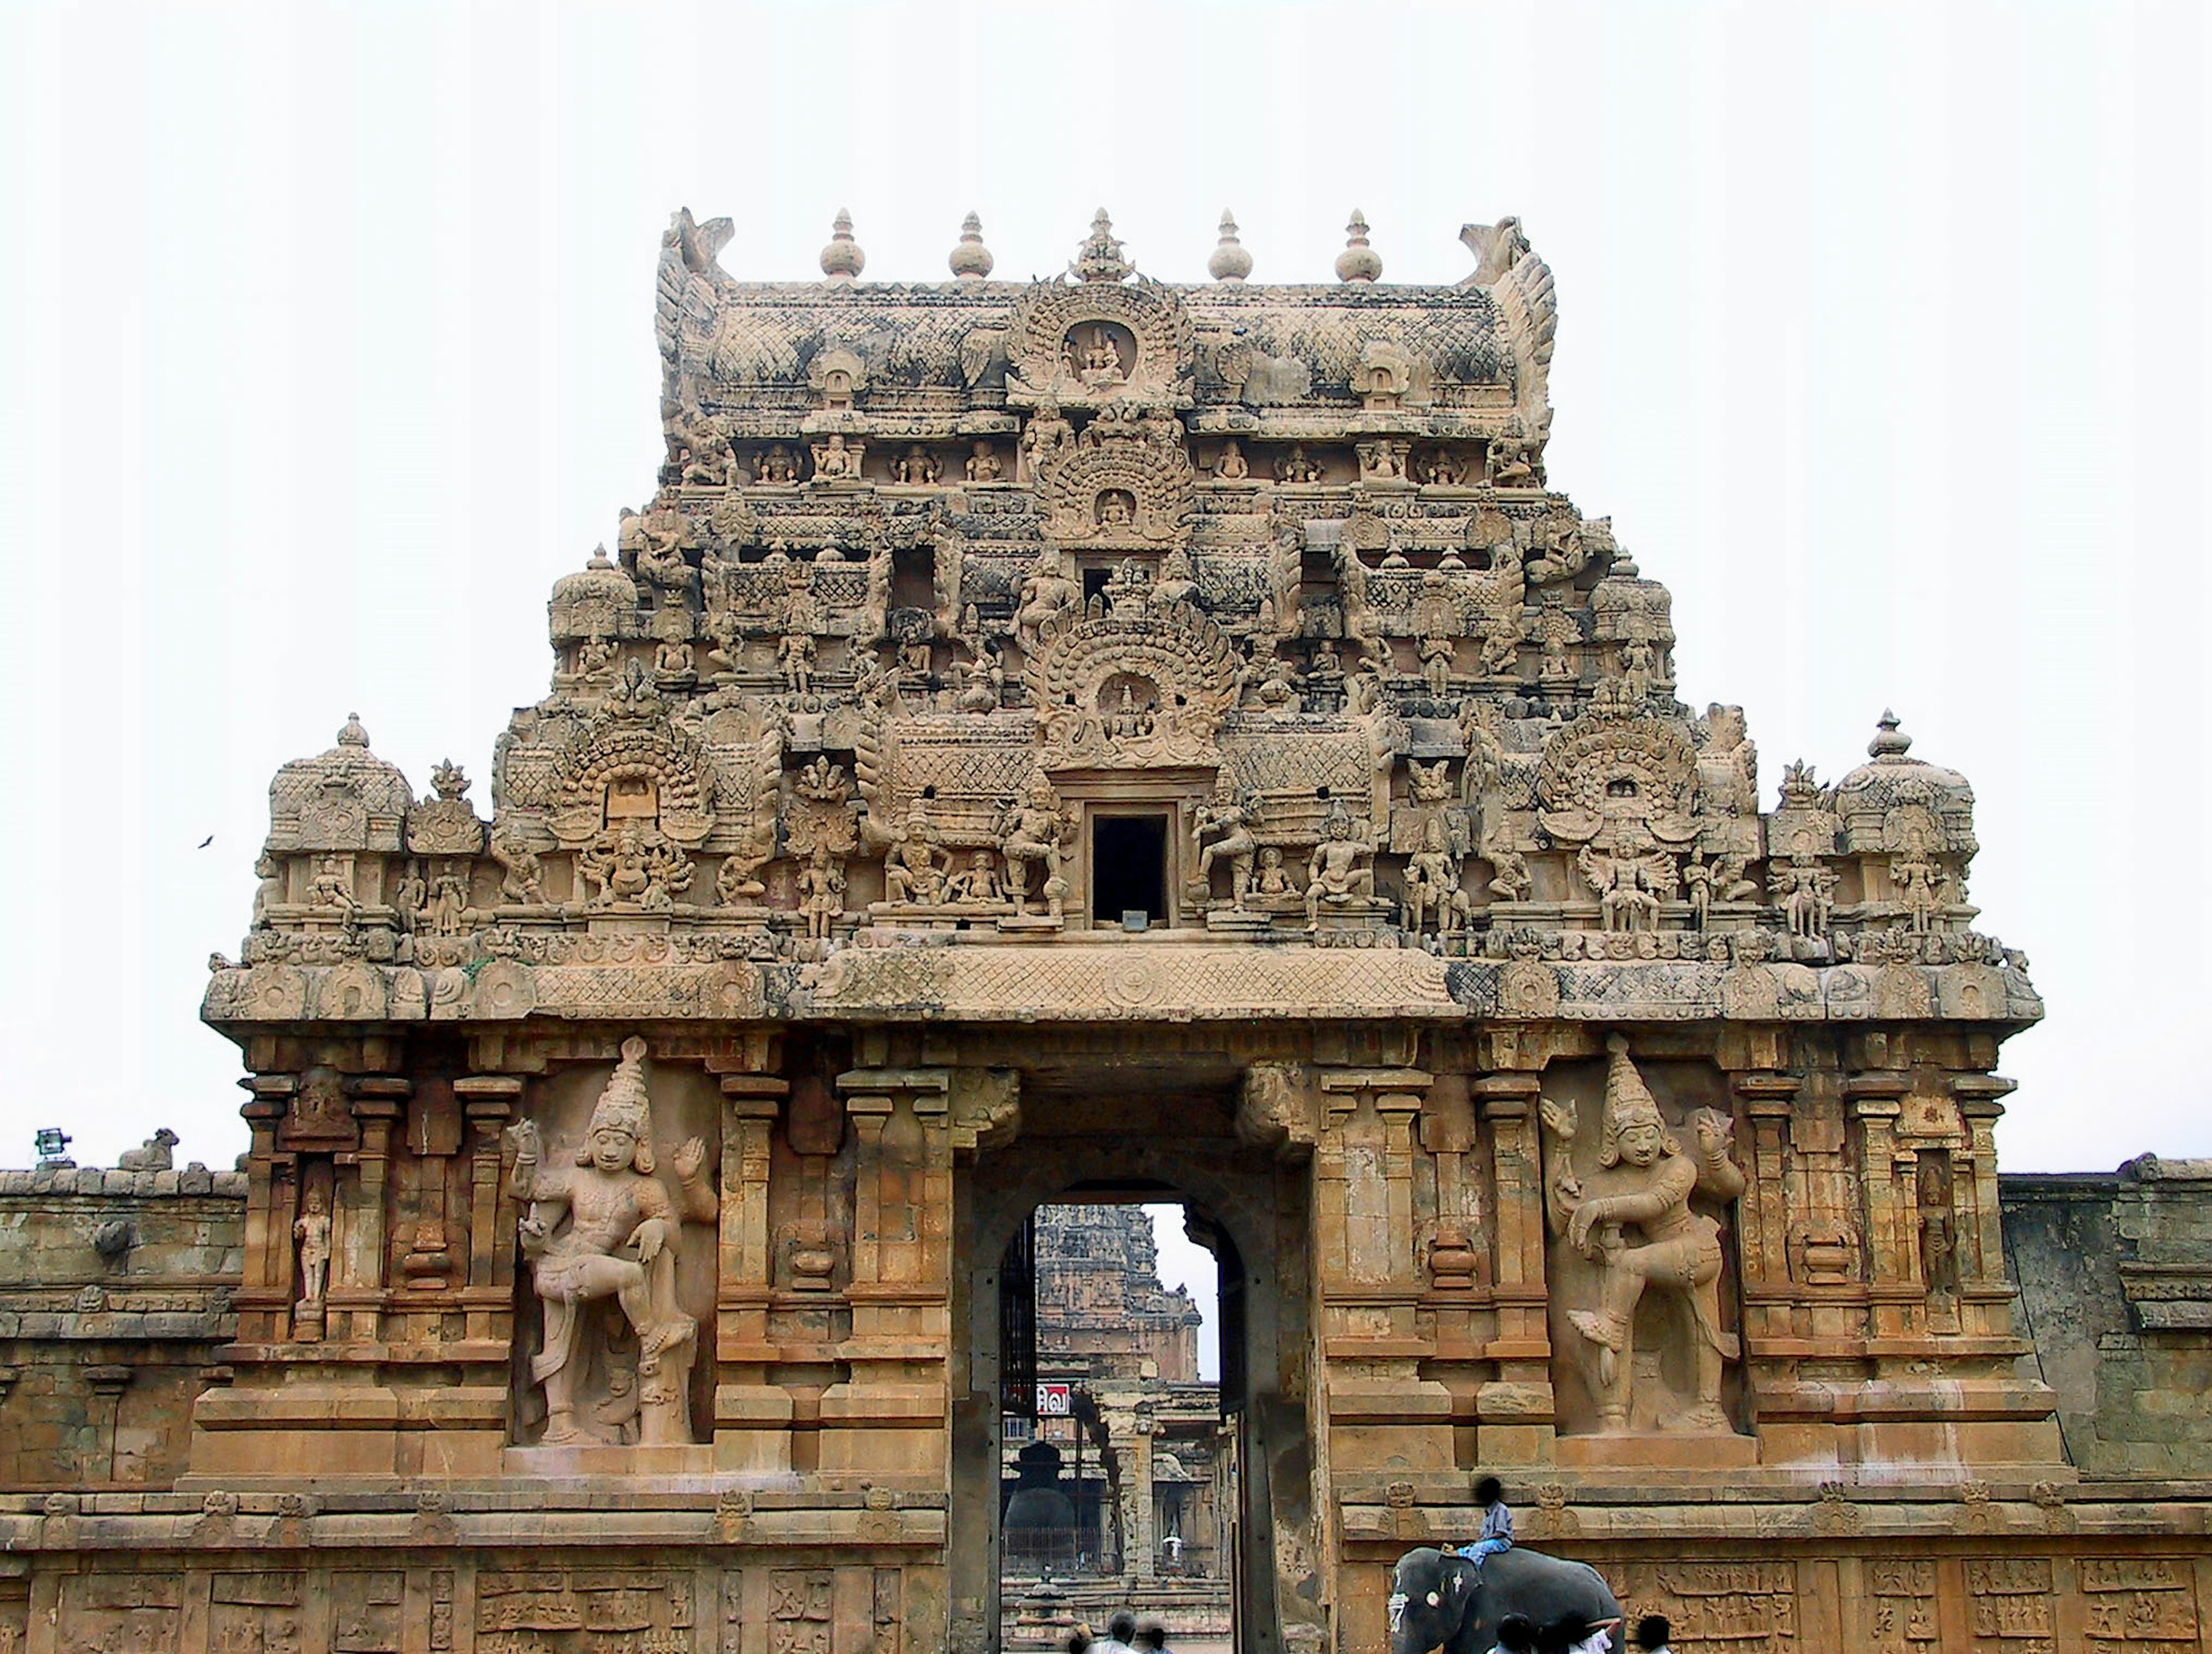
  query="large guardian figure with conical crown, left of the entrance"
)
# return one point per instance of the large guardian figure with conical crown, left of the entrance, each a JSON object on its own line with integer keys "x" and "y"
{"x": 607, "y": 1228}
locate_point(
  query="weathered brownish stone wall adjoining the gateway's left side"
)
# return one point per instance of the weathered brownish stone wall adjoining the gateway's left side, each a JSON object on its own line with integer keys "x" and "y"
{"x": 114, "y": 1301}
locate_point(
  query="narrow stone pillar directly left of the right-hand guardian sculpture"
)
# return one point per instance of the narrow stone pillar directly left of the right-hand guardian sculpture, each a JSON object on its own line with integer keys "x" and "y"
{"x": 1516, "y": 1407}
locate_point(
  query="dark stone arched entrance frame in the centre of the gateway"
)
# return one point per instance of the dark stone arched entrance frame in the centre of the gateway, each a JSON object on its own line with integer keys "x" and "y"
{"x": 1251, "y": 1213}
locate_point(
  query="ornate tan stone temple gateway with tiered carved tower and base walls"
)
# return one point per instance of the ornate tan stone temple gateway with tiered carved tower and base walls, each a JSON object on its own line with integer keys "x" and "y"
{"x": 1103, "y": 742}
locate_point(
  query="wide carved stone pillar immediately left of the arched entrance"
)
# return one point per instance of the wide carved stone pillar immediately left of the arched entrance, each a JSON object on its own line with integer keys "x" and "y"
{"x": 890, "y": 1419}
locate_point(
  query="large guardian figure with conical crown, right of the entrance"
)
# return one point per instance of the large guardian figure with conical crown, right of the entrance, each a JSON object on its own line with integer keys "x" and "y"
{"x": 1636, "y": 1224}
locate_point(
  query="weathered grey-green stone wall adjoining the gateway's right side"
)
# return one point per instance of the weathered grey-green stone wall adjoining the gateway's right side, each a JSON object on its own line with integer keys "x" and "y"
{"x": 2116, "y": 1284}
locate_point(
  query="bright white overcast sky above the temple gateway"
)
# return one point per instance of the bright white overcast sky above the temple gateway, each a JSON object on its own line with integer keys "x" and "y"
{"x": 326, "y": 348}
